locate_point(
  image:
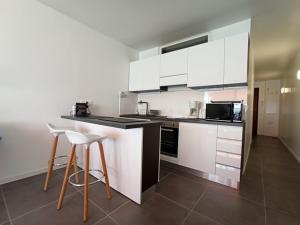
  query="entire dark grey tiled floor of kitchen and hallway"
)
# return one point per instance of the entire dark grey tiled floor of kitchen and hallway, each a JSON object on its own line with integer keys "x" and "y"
{"x": 269, "y": 195}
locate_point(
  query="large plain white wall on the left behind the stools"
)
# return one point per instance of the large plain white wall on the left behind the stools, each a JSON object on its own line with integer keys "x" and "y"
{"x": 47, "y": 62}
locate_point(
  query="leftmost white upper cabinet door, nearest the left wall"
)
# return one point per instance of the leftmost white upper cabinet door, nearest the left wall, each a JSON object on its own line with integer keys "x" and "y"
{"x": 144, "y": 74}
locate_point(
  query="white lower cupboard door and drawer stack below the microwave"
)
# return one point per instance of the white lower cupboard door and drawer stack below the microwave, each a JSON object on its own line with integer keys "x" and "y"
{"x": 213, "y": 149}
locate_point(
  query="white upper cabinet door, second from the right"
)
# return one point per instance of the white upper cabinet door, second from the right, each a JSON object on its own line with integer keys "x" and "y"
{"x": 206, "y": 64}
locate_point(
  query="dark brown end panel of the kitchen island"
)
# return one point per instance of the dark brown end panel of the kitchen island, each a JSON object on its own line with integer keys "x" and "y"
{"x": 151, "y": 151}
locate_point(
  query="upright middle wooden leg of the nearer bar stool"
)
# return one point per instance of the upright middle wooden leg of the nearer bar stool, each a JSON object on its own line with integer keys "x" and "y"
{"x": 86, "y": 185}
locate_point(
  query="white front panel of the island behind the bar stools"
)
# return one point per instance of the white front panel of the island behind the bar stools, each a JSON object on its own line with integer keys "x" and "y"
{"x": 123, "y": 153}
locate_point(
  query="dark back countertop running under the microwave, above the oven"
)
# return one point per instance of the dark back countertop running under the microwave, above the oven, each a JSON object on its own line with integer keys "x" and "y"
{"x": 185, "y": 120}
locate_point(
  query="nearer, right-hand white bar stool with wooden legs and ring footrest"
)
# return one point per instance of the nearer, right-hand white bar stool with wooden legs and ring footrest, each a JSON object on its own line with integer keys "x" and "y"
{"x": 77, "y": 138}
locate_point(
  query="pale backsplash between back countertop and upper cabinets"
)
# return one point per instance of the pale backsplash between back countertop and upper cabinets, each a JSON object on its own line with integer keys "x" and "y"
{"x": 176, "y": 103}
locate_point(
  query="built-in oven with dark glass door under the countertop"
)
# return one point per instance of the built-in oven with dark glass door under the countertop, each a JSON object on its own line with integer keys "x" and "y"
{"x": 169, "y": 138}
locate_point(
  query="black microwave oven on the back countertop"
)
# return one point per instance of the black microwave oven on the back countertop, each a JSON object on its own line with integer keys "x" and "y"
{"x": 225, "y": 111}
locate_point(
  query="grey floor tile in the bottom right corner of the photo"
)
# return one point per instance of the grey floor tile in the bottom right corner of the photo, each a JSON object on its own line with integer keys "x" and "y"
{"x": 280, "y": 218}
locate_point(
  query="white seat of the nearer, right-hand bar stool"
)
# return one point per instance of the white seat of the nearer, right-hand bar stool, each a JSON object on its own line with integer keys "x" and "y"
{"x": 79, "y": 138}
